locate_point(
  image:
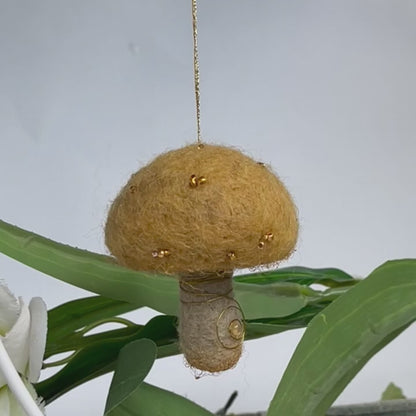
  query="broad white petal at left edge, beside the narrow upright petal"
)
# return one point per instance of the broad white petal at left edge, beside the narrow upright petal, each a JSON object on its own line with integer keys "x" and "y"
{"x": 16, "y": 341}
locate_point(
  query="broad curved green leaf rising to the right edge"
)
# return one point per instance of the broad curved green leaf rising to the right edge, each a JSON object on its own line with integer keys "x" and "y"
{"x": 344, "y": 336}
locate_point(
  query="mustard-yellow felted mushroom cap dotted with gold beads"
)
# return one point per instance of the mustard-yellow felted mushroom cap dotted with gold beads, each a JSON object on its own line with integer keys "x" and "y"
{"x": 202, "y": 209}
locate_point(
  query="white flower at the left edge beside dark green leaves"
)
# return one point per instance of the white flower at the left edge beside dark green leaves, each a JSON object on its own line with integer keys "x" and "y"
{"x": 23, "y": 333}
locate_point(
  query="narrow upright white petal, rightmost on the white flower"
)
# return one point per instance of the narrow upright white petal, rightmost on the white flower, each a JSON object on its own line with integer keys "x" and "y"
{"x": 37, "y": 340}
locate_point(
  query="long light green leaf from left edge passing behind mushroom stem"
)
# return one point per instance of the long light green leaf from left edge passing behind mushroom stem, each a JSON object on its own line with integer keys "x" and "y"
{"x": 100, "y": 274}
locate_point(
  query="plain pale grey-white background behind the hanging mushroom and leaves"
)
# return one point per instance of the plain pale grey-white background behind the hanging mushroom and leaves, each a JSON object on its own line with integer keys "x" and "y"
{"x": 323, "y": 90}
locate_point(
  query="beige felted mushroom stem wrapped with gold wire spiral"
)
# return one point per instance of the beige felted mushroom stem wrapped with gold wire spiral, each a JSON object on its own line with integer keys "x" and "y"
{"x": 211, "y": 324}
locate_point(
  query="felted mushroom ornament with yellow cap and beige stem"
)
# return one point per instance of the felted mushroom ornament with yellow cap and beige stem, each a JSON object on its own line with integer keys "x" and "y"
{"x": 201, "y": 212}
